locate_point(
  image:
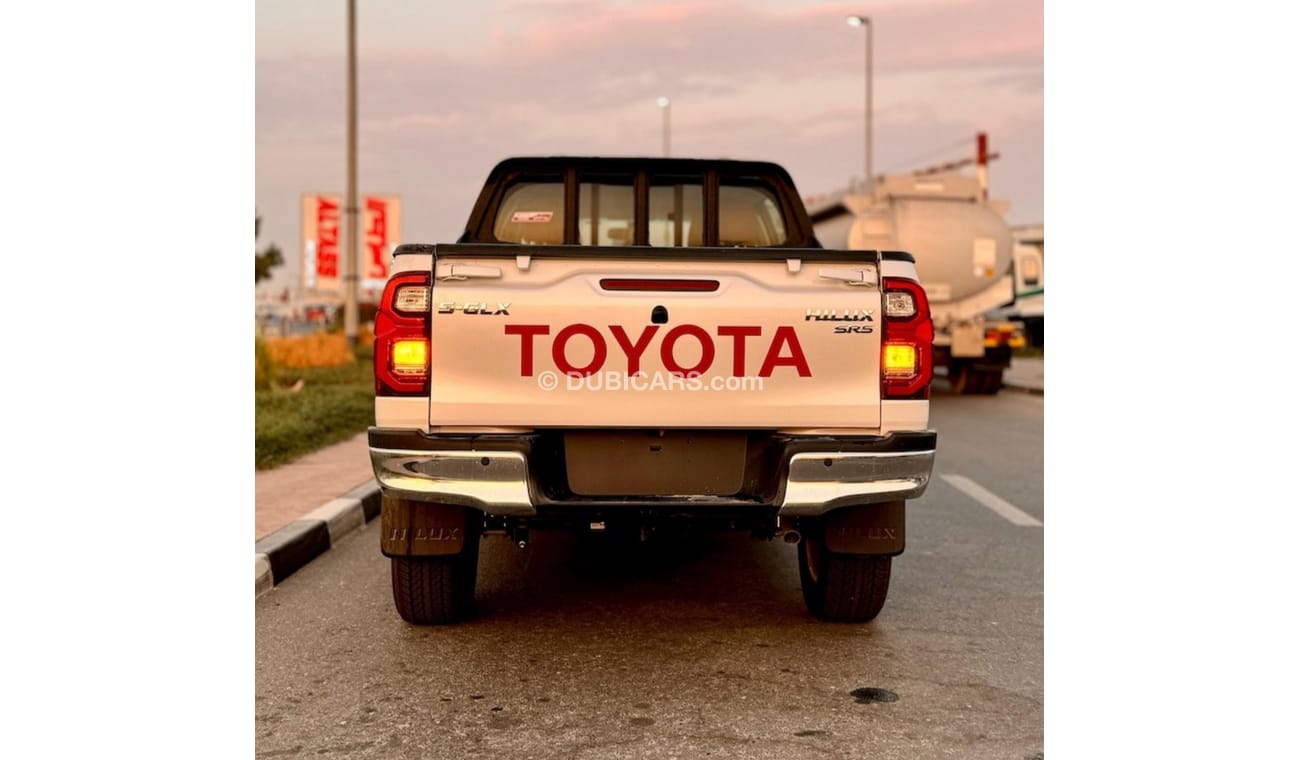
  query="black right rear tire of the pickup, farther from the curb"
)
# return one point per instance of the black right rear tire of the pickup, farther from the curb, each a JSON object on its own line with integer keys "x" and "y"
{"x": 842, "y": 588}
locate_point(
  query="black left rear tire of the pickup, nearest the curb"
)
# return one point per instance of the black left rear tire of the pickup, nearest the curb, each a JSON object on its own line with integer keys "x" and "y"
{"x": 437, "y": 590}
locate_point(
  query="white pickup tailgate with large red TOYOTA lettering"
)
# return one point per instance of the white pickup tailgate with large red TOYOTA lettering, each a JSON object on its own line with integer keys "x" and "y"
{"x": 619, "y": 338}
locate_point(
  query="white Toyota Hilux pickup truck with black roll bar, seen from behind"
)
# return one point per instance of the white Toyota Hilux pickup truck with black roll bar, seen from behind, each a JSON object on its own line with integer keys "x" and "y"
{"x": 629, "y": 342}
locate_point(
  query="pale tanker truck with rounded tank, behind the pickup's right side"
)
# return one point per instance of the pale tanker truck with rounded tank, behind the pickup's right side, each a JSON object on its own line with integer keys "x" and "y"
{"x": 964, "y": 260}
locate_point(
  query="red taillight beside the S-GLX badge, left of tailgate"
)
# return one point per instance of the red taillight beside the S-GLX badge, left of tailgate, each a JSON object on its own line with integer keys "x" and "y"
{"x": 402, "y": 337}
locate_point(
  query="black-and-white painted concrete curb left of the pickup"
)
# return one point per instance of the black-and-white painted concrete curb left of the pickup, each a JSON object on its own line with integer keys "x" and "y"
{"x": 288, "y": 550}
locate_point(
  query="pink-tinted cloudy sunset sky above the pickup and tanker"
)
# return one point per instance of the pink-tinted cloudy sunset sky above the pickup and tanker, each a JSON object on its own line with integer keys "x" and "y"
{"x": 448, "y": 90}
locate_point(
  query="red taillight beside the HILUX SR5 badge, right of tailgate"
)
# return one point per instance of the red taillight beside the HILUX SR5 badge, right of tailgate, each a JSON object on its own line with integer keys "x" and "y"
{"x": 907, "y": 350}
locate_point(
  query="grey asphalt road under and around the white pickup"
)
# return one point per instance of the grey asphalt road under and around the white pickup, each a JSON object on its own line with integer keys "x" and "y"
{"x": 703, "y": 649}
